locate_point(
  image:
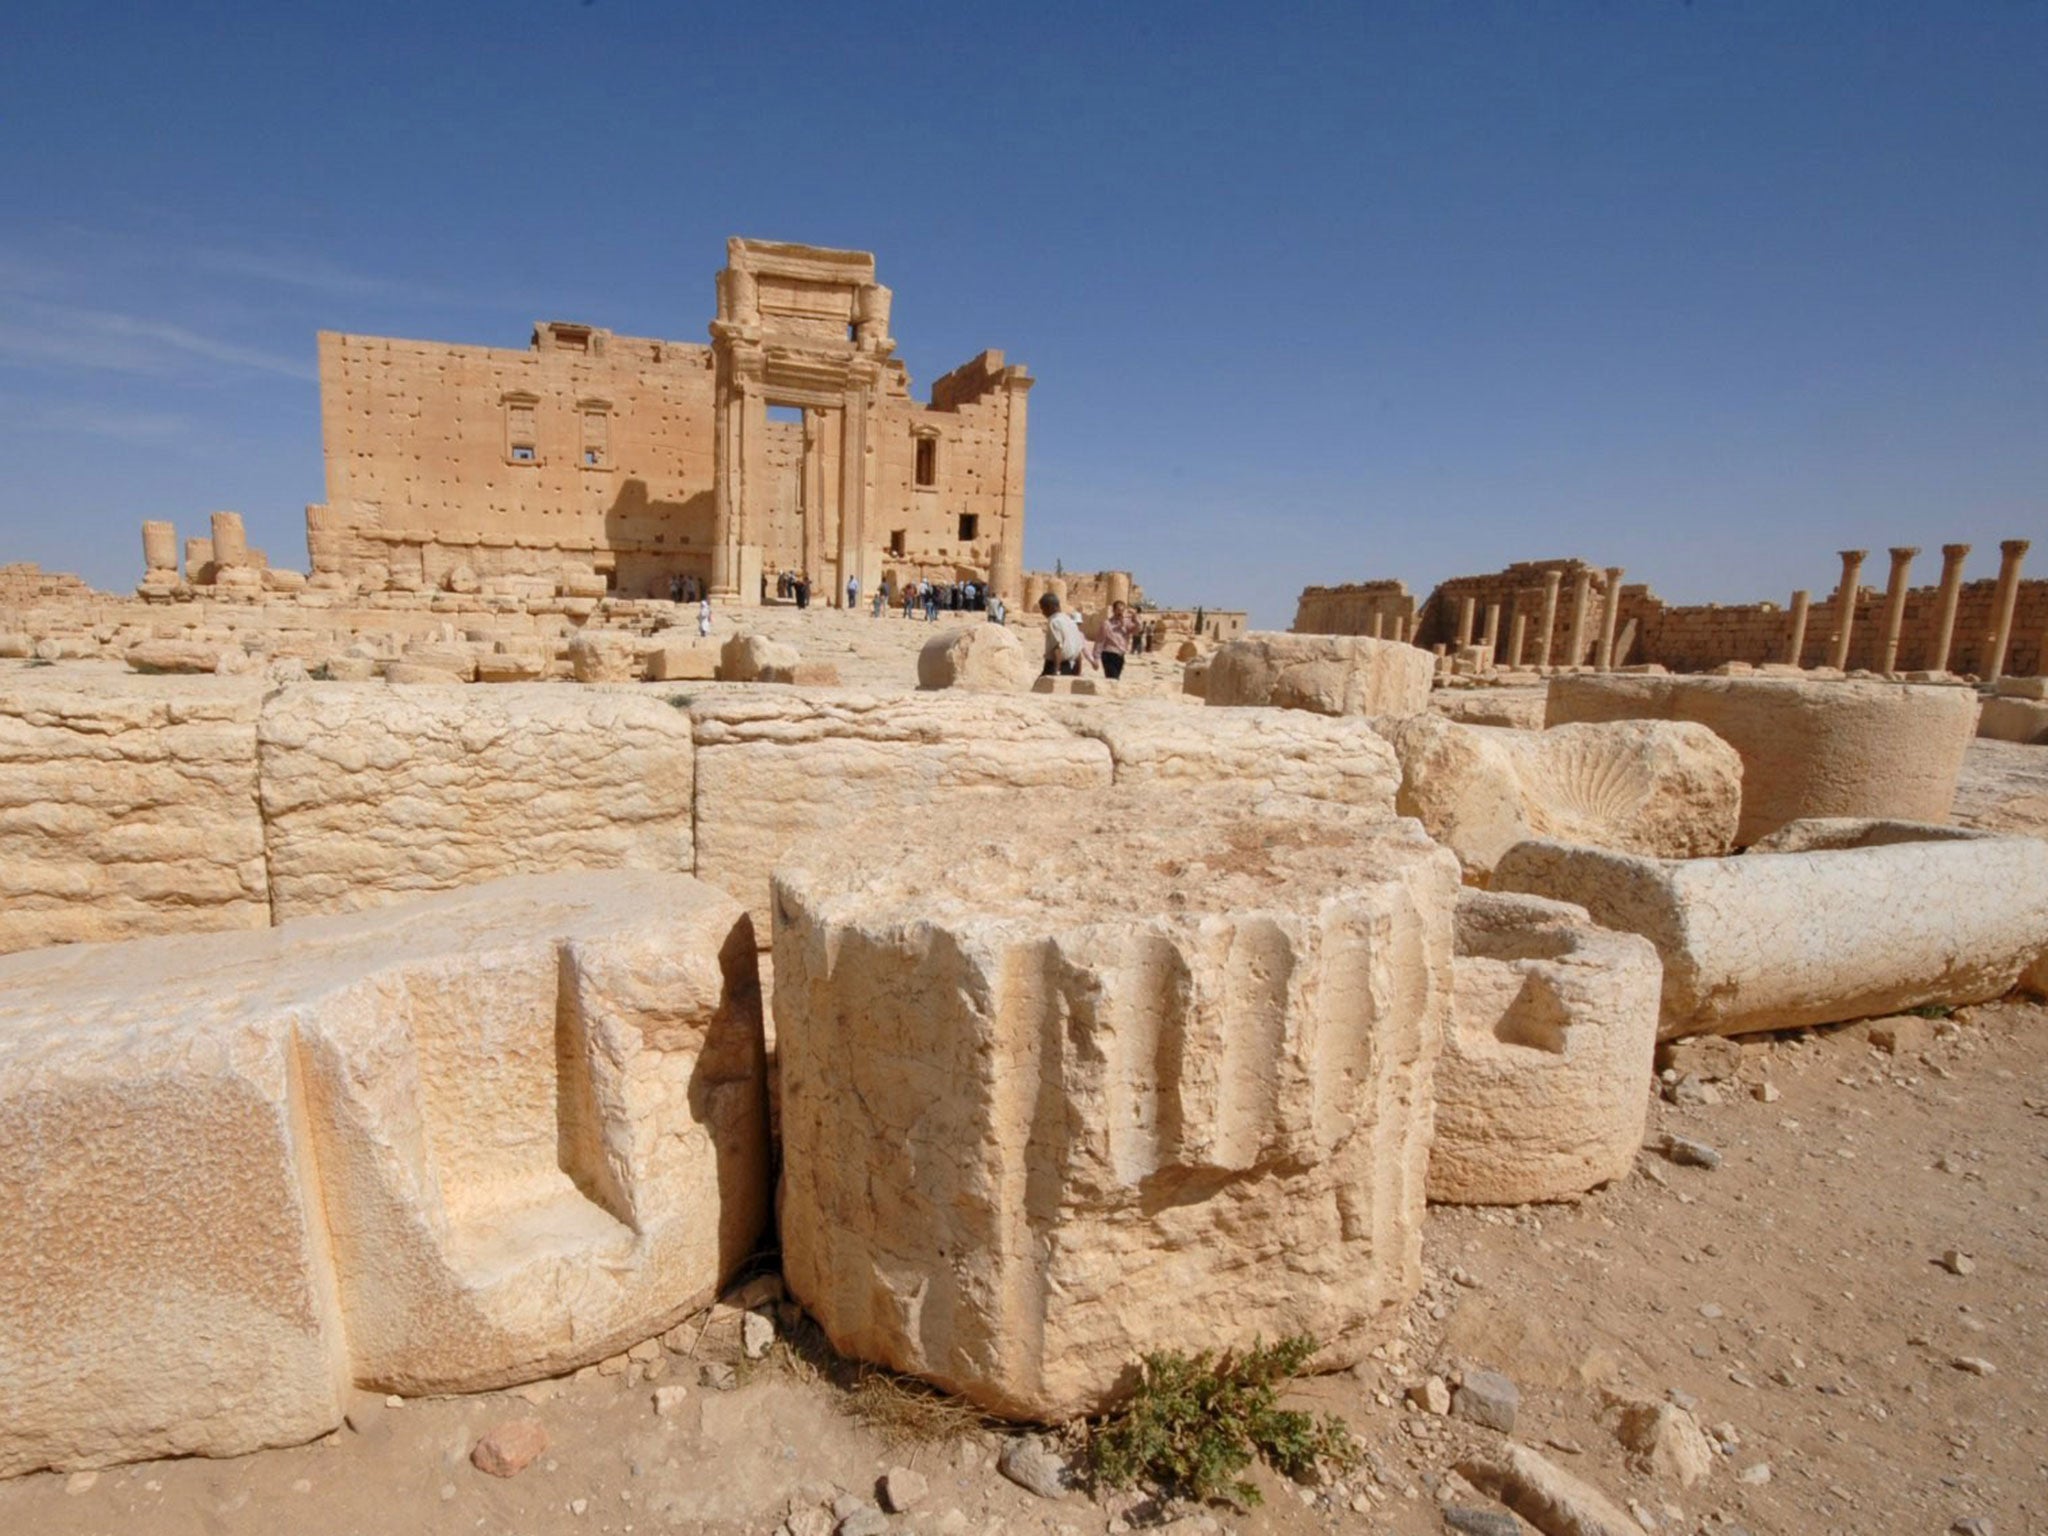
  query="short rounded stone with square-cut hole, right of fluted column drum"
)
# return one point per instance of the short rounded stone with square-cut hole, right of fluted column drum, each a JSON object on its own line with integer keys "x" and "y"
{"x": 1545, "y": 1080}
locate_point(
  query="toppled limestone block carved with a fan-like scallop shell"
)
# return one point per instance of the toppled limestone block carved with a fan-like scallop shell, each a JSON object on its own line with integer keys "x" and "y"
{"x": 1668, "y": 790}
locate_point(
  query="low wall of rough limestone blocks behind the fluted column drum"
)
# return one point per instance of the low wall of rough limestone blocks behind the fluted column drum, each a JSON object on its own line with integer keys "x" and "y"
{"x": 161, "y": 806}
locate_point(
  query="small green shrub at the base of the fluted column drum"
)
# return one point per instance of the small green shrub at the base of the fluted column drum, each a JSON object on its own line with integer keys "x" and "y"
{"x": 1197, "y": 1422}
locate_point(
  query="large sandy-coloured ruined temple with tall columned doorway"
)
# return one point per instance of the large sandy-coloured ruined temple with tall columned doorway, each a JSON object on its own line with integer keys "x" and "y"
{"x": 787, "y": 445}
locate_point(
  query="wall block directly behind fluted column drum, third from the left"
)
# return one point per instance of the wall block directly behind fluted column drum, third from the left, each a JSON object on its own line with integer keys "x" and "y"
{"x": 775, "y": 769}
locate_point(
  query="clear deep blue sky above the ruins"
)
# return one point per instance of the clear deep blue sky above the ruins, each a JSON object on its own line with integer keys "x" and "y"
{"x": 1314, "y": 294}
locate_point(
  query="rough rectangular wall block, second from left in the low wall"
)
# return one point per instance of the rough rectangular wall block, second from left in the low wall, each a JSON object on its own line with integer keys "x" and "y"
{"x": 378, "y": 796}
